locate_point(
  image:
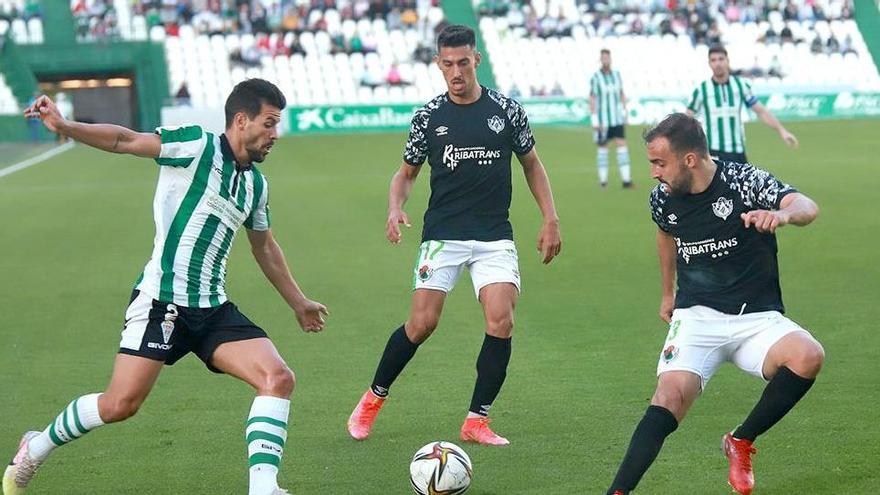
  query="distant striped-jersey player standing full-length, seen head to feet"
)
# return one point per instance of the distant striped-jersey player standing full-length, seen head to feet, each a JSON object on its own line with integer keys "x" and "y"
{"x": 608, "y": 108}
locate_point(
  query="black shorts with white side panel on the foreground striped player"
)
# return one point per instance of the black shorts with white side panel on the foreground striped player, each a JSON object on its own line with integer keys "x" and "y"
{"x": 167, "y": 332}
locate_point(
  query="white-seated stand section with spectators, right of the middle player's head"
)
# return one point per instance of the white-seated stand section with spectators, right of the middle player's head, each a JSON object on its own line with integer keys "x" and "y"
{"x": 772, "y": 45}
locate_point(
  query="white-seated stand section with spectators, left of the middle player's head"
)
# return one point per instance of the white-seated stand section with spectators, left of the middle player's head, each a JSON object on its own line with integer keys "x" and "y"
{"x": 339, "y": 55}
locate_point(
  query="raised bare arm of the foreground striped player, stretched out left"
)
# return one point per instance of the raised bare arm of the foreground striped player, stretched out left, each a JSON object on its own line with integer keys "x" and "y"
{"x": 107, "y": 137}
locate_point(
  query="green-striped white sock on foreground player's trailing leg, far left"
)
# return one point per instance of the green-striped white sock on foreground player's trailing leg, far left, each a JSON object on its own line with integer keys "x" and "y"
{"x": 78, "y": 418}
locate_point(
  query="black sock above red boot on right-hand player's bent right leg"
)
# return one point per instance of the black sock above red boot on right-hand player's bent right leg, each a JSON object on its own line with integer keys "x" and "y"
{"x": 780, "y": 395}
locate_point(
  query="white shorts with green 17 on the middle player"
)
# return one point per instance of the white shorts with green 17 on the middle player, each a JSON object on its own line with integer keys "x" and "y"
{"x": 440, "y": 263}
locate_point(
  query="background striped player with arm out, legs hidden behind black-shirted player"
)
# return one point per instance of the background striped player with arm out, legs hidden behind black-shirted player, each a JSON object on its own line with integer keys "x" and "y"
{"x": 718, "y": 102}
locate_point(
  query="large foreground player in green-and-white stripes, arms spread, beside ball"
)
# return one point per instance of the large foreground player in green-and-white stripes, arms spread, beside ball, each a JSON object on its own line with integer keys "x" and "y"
{"x": 208, "y": 187}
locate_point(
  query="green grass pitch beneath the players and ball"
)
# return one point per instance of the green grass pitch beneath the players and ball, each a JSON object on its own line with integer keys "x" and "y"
{"x": 78, "y": 230}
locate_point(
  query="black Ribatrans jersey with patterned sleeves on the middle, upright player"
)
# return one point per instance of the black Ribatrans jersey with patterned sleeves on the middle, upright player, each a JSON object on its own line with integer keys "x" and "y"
{"x": 469, "y": 148}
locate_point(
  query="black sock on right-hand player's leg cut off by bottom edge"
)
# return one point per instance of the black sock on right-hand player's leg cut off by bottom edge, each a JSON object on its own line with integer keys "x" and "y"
{"x": 655, "y": 426}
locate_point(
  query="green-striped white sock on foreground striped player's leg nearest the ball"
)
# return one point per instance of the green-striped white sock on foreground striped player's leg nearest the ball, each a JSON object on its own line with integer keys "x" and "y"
{"x": 266, "y": 433}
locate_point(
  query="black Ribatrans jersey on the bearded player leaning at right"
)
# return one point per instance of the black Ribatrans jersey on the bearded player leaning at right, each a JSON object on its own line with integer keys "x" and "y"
{"x": 721, "y": 263}
